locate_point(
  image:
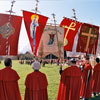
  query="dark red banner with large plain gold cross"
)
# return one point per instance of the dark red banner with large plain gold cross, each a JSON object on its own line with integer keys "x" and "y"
{"x": 88, "y": 39}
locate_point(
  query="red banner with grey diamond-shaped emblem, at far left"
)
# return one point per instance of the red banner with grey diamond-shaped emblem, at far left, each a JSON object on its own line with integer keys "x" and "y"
{"x": 13, "y": 34}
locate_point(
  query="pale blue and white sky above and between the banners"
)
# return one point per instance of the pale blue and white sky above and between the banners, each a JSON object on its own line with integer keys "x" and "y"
{"x": 87, "y": 11}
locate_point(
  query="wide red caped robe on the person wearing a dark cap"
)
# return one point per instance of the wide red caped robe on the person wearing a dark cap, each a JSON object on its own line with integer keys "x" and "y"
{"x": 70, "y": 83}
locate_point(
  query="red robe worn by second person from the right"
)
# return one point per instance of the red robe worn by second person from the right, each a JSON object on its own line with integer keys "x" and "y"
{"x": 86, "y": 88}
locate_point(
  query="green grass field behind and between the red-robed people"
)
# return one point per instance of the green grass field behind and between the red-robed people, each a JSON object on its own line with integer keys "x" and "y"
{"x": 51, "y": 71}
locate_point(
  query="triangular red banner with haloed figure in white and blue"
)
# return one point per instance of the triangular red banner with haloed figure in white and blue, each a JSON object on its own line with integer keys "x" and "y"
{"x": 35, "y": 24}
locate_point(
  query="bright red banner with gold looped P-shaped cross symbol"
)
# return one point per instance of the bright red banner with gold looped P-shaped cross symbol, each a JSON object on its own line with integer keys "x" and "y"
{"x": 70, "y": 29}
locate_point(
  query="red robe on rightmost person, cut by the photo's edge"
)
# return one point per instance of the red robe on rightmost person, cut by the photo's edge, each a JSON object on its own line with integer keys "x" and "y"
{"x": 96, "y": 78}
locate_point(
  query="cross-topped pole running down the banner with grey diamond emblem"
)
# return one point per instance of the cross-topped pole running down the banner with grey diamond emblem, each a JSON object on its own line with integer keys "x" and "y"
{"x": 8, "y": 29}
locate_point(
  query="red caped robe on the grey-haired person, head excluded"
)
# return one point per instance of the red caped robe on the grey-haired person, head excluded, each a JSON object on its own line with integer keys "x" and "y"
{"x": 36, "y": 86}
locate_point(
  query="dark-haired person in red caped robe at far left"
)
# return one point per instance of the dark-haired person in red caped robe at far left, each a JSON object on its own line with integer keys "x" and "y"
{"x": 9, "y": 82}
